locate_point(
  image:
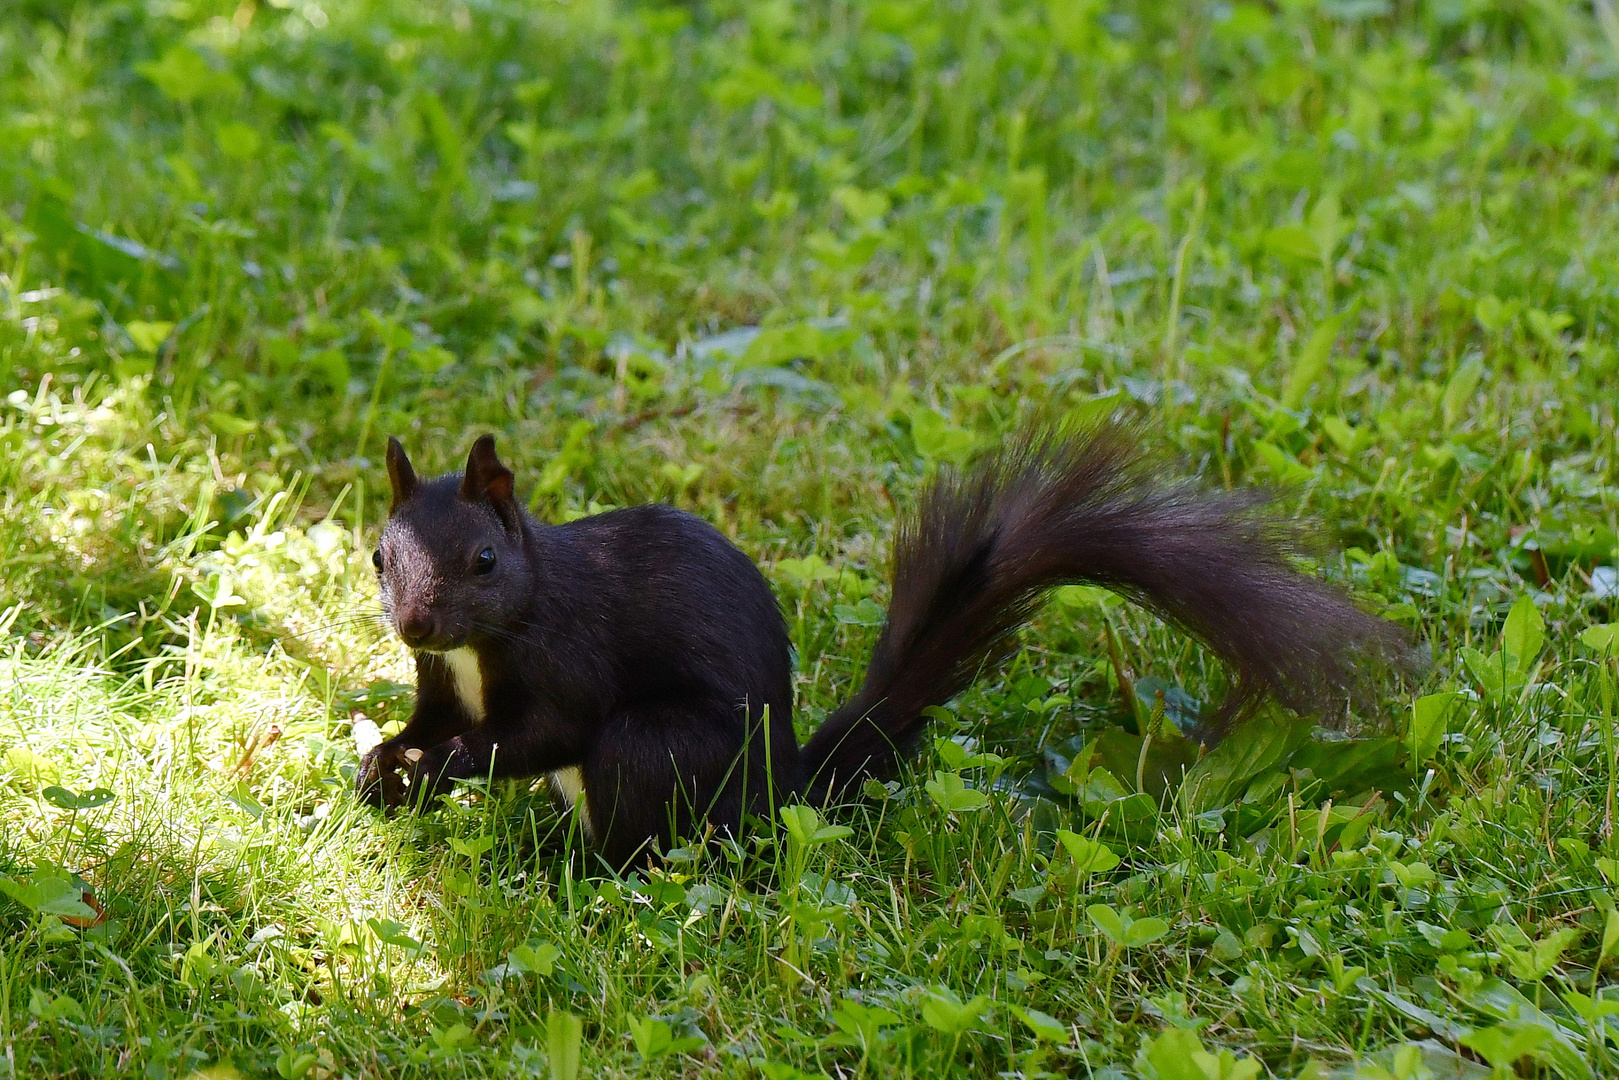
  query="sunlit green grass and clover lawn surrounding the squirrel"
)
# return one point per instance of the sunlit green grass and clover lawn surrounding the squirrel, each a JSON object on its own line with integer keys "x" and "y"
{"x": 775, "y": 263}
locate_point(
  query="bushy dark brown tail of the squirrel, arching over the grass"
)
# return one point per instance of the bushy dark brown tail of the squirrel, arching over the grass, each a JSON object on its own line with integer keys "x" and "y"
{"x": 987, "y": 545}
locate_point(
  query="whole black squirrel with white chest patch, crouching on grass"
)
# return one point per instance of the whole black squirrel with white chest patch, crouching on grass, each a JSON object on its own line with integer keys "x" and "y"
{"x": 642, "y": 660}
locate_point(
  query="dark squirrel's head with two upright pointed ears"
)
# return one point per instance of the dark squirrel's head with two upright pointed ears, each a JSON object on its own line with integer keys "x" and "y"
{"x": 453, "y": 563}
